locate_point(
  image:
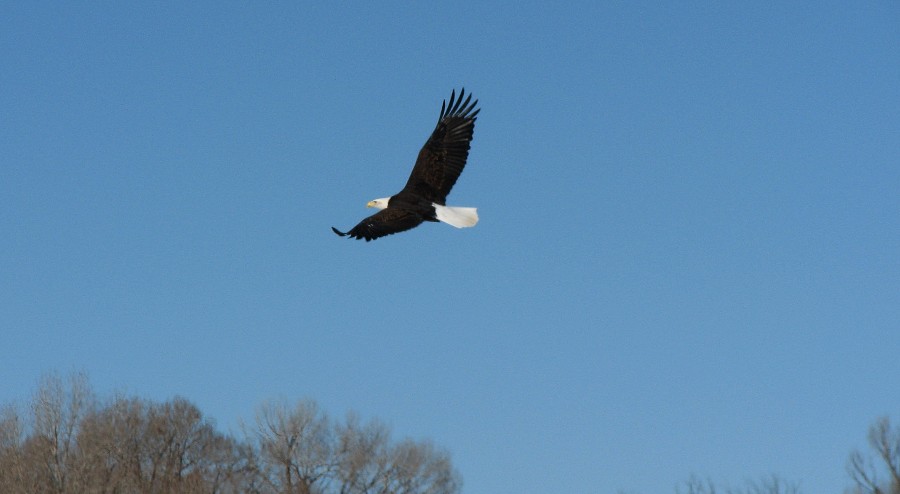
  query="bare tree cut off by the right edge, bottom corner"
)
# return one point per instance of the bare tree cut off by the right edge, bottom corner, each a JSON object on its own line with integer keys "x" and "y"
{"x": 885, "y": 442}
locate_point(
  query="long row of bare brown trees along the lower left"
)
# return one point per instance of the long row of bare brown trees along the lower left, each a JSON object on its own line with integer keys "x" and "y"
{"x": 67, "y": 441}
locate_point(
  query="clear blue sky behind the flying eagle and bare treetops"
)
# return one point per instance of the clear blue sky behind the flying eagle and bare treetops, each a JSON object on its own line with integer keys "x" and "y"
{"x": 688, "y": 259}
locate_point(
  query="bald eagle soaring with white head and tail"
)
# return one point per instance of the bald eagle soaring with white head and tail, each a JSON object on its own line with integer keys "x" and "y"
{"x": 439, "y": 164}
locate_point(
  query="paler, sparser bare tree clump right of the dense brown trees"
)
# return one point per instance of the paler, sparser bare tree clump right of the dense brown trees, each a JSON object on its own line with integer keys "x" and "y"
{"x": 304, "y": 452}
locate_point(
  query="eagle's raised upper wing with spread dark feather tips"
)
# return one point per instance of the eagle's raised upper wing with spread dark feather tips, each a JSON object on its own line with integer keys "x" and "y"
{"x": 443, "y": 156}
